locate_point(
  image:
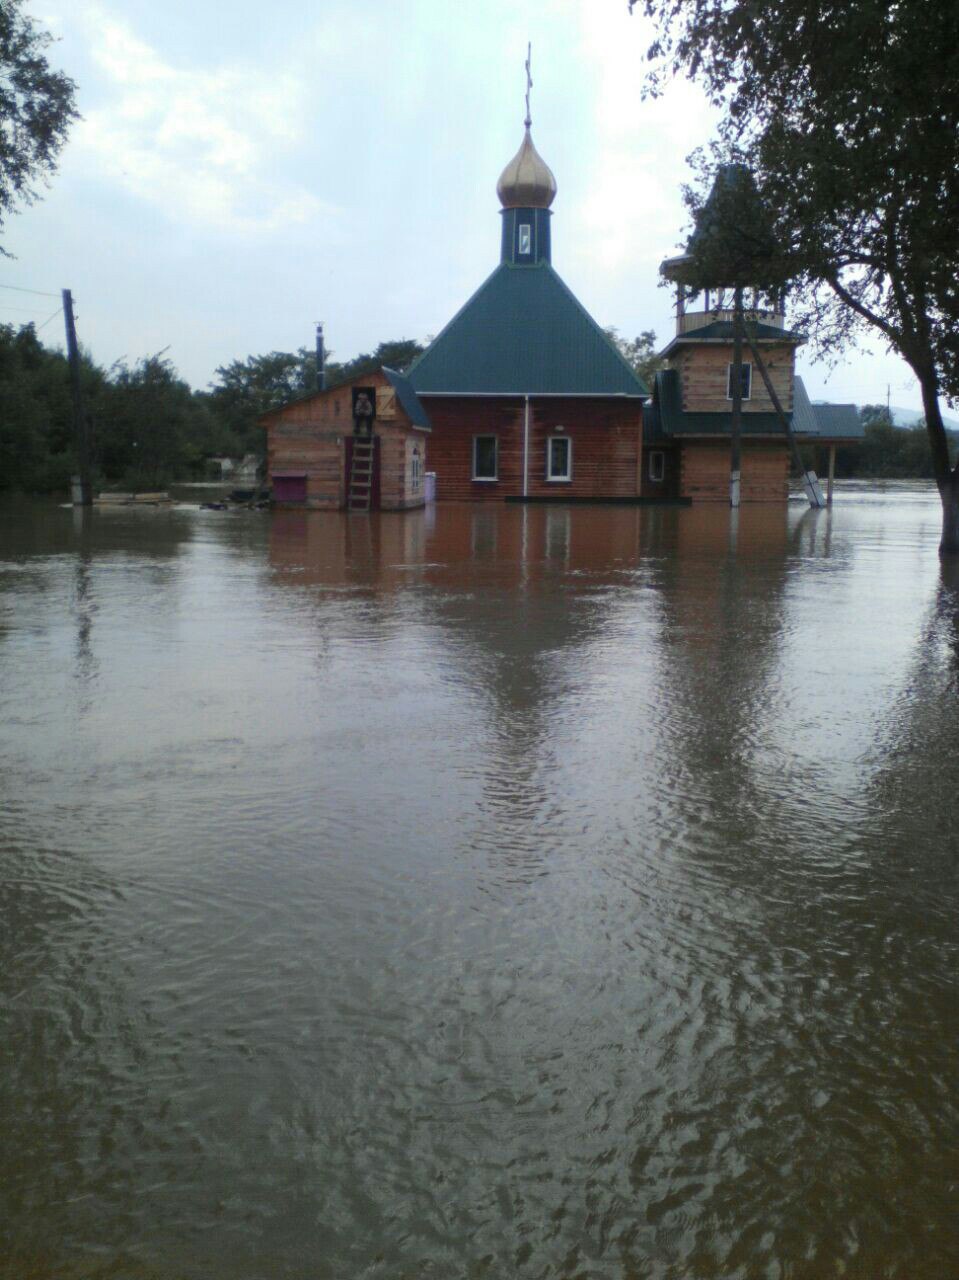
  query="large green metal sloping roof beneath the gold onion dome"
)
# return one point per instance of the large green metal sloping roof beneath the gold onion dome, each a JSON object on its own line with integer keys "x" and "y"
{"x": 524, "y": 333}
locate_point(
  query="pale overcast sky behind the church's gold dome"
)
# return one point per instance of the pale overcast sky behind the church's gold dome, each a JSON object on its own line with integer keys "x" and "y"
{"x": 244, "y": 170}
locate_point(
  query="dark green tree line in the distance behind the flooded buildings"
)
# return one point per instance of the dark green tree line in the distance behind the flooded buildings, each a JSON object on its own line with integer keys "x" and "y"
{"x": 152, "y": 429}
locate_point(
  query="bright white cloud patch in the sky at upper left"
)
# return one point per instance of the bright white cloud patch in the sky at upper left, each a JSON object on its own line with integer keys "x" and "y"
{"x": 202, "y": 147}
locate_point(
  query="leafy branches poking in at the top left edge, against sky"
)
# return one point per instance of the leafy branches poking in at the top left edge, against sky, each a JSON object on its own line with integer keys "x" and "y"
{"x": 38, "y": 107}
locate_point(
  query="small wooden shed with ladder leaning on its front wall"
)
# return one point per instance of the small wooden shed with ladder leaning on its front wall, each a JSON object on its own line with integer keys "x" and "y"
{"x": 316, "y": 459}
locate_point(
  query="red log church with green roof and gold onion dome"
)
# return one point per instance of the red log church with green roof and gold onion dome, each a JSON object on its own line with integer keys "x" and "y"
{"x": 527, "y": 395}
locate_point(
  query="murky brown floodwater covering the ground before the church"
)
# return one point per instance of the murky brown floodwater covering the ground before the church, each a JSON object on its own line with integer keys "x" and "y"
{"x": 479, "y": 893}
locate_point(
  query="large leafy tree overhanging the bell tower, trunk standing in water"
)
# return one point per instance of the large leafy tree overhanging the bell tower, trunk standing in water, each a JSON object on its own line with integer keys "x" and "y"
{"x": 848, "y": 116}
